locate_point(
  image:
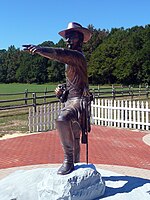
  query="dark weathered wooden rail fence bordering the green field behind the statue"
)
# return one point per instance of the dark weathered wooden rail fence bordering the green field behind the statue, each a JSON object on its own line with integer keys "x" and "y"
{"x": 28, "y": 99}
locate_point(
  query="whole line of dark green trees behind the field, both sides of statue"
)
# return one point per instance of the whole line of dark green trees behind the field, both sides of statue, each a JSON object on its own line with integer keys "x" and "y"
{"x": 116, "y": 56}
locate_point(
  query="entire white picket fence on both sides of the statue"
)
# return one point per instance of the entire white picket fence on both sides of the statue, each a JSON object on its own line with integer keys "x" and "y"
{"x": 116, "y": 113}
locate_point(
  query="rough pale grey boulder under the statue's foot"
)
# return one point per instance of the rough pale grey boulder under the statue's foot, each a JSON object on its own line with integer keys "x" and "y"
{"x": 83, "y": 183}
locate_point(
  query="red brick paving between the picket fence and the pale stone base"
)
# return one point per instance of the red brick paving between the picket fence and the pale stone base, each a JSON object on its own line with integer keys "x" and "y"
{"x": 107, "y": 145}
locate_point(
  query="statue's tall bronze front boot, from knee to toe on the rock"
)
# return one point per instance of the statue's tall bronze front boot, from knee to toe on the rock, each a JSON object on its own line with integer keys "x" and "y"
{"x": 67, "y": 141}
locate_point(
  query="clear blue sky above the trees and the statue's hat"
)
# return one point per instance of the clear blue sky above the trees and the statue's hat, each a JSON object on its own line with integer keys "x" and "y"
{"x": 36, "y": 21}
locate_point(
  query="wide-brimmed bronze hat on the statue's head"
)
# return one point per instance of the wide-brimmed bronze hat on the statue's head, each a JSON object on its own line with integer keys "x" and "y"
{"x": 73, "y": 26}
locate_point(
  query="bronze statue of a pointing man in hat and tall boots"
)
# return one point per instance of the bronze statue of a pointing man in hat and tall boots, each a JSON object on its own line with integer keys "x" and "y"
{"x": 69, "y": 121}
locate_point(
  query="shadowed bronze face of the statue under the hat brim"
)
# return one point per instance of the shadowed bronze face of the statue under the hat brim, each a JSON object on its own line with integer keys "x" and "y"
{"x": 72, "y": 40}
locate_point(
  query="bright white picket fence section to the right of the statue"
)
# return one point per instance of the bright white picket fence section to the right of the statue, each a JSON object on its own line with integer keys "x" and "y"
{"x": 122, "y": 114}
